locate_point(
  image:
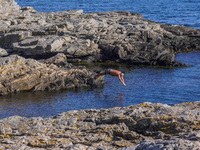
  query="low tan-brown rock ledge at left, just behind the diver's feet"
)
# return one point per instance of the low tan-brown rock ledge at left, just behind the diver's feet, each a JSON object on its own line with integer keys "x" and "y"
{"x": 20, "y": 74}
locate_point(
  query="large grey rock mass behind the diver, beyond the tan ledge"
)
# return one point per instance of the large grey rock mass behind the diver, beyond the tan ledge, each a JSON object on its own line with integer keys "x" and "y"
{"x": 96, "y": 37}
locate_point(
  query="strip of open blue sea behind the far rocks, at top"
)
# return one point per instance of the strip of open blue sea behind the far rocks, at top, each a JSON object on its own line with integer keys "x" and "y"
{"x": 181, "y": 12}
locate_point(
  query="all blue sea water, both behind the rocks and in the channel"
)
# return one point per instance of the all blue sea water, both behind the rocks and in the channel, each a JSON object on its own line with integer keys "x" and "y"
{"x": 158, "y": 85}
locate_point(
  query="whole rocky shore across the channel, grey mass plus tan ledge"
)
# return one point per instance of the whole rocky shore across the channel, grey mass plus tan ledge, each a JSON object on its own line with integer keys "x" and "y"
{"x": 28, "y": 37}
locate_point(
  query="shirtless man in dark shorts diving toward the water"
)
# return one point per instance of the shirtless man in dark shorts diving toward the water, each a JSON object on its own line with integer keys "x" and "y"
{"x": 113, "y": 73}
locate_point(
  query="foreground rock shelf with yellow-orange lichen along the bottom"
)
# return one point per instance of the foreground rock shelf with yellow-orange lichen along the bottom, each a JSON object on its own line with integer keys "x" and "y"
{"x": 145, "y": 126}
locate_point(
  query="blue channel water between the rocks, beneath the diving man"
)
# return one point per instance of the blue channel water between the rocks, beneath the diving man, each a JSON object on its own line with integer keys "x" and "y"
{"x": 169, "y": 86}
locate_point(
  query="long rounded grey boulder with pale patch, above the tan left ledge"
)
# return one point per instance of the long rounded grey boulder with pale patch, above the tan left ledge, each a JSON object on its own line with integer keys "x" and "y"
{"x": 75, "y": 49}
